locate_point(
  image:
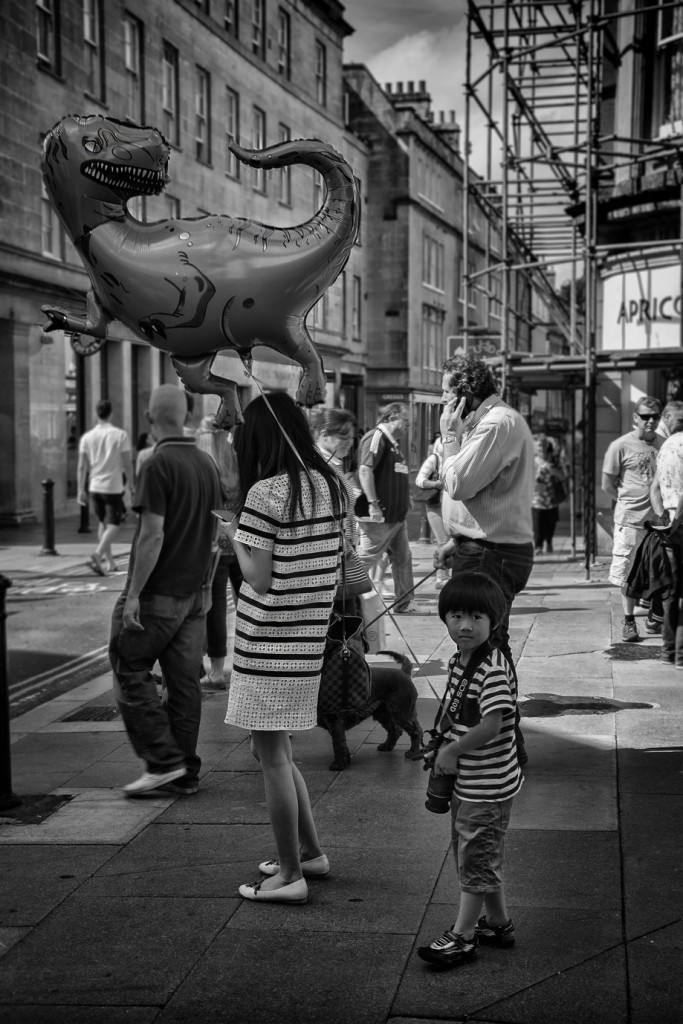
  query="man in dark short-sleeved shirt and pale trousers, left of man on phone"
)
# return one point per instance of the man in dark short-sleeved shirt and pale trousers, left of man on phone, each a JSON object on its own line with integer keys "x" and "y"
{"x": 386, "y": 501}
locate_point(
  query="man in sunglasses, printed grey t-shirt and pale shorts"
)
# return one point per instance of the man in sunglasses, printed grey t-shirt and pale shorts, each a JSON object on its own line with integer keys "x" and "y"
{"x": 628, "y": 472}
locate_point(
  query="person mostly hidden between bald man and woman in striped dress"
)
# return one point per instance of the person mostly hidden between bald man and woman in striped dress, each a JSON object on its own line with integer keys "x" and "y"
{"x": 219, "y": 444}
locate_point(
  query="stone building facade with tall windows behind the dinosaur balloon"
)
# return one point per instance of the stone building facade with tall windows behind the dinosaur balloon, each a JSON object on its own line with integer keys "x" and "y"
{"x": 200, "y": 72}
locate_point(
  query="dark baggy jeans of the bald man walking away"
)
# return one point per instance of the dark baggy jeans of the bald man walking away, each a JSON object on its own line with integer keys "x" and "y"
{"x": 164, "y": 735}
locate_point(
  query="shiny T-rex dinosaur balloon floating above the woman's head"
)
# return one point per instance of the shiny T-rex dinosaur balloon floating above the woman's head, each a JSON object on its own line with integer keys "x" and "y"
{"x": 195, "y": 287}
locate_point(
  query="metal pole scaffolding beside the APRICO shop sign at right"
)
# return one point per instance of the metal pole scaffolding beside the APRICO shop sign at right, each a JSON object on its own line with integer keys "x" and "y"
{"x": 536, "y": 76}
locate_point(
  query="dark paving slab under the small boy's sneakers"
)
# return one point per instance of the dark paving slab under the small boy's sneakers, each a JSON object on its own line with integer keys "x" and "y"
{"x": 551, "y": 945}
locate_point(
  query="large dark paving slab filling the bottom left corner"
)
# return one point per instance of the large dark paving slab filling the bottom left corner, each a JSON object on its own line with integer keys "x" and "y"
{"x": 120, "y": 952}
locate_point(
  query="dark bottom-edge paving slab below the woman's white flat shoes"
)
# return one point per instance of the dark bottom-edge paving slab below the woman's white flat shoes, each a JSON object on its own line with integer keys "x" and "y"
{"x": 258, "y": 975}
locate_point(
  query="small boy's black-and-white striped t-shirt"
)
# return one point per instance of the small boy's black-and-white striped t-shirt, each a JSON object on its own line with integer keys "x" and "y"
{"x": 490, "y": 774}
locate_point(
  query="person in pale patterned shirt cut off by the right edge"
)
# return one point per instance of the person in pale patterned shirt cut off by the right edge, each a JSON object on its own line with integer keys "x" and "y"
{"x": 667, "y": 498}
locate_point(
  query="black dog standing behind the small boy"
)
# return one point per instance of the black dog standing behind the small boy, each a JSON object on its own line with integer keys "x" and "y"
{"x": 392, "y": 703}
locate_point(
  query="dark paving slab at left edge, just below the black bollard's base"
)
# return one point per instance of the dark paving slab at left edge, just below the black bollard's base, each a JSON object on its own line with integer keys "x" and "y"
{"x": 34, "y": 884}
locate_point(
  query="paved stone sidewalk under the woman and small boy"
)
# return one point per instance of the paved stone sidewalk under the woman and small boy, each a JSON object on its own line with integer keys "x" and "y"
{"x": 118, "y": 911}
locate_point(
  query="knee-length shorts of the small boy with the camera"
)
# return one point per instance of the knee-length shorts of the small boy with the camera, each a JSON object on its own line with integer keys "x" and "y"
{"x": 479, "y": 843}
